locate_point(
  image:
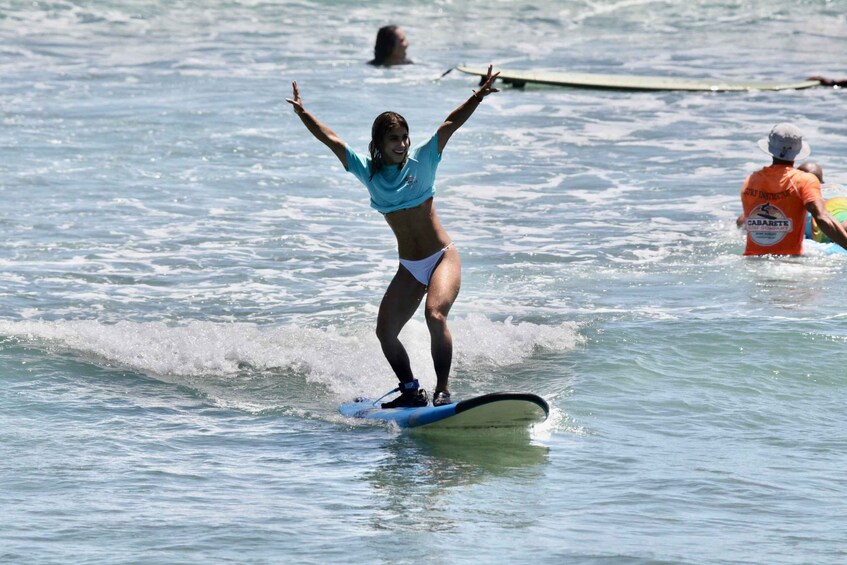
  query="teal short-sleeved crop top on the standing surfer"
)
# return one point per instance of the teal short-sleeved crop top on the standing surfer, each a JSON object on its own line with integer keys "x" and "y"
{"x": 394, "y": 188}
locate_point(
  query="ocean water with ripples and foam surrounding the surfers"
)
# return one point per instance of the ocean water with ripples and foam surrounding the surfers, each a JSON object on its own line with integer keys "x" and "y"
{"x": 189, "y": 284}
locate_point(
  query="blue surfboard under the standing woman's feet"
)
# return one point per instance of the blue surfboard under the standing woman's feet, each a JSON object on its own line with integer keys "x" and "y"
{"x": 495, "y": 410}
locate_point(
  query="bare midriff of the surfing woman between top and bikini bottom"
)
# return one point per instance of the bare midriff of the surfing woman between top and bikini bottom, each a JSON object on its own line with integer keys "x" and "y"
{"x": 418, "y": 231}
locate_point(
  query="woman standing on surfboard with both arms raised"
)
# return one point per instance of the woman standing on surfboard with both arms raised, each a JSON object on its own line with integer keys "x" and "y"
{"x": 401, "y": 183}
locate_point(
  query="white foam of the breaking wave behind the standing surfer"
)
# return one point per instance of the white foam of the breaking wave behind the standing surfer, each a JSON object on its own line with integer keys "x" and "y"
{"x": 347, "y": 362}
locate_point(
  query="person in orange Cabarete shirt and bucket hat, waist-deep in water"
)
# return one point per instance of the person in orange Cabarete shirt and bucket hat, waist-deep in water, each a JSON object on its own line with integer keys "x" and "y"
{"x": 776, "y": 199}
